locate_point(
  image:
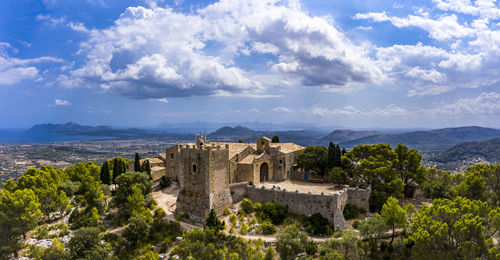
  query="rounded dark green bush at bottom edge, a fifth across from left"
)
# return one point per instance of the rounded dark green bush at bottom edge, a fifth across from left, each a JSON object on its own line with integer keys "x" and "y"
{"x": 86, "y": 244}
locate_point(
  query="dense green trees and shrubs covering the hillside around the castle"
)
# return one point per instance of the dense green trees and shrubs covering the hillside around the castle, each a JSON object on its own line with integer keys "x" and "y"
{"x": 92, "y": 212}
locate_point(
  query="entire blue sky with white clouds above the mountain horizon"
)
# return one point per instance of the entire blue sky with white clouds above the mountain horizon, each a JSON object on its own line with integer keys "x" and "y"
{"x": 350, "y": 63}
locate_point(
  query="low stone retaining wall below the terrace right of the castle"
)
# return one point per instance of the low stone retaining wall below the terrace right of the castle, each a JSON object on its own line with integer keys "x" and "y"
{"x": 330, "y": 206}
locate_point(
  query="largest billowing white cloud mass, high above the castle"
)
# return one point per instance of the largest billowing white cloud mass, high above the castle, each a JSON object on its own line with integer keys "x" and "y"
{"x": 158, "y": 52}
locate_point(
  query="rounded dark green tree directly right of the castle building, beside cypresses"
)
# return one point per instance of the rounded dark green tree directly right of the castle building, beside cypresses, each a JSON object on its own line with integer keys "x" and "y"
{"x": 313, "y": 158}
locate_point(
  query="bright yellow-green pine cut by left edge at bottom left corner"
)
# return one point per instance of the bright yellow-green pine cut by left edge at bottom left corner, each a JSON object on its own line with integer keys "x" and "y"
{"x": 19, "y": 213}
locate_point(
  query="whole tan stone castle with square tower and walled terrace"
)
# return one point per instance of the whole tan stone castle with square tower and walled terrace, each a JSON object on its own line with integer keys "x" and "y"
{"x": 214, "y": 175}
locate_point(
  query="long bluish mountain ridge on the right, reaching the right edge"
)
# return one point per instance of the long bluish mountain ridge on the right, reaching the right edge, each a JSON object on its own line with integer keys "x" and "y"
{"x": 438, "y": 139}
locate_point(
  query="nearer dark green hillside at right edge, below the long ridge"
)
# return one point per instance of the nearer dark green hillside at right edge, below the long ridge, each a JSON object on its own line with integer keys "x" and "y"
{"x": 488, "y": 149}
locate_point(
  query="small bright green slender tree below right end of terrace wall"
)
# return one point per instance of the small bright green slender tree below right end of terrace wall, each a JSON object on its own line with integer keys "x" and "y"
{"x": 393, "y": 215}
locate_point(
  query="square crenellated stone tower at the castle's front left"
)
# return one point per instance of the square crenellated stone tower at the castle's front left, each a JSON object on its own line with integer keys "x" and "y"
{"x": 204, "y": 180}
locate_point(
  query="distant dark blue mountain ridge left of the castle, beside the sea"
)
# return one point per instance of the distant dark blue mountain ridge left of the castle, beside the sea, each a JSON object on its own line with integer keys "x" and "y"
{"x": 71, "y": 128}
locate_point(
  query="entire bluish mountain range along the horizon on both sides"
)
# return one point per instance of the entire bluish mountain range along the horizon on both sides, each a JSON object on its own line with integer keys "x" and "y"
{"x": 431, "y": 140}
